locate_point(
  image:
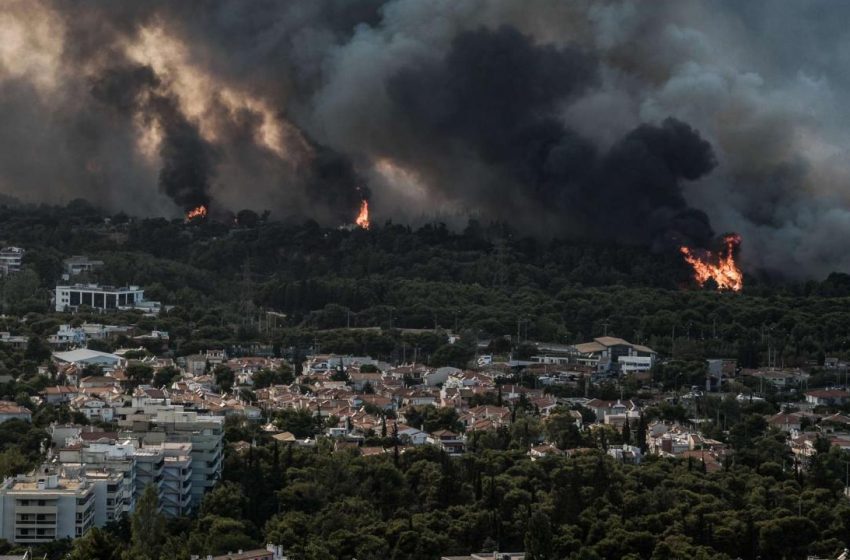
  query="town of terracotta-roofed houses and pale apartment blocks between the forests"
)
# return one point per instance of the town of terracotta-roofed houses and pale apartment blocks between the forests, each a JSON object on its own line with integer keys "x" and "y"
{"x": 113, "y": 410}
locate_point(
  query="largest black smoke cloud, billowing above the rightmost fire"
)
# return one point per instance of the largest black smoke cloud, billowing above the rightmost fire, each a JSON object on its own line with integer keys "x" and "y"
{"x": 496, "y": 94}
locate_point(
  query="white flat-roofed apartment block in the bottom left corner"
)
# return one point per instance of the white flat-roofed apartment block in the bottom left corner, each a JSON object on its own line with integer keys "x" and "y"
{"x": 45, "y": 507}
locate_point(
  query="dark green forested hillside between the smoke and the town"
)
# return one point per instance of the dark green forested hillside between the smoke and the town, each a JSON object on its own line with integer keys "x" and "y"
{"x": 351, "y": 290}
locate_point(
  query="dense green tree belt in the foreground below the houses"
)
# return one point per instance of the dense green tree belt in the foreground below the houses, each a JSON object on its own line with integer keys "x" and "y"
{"x": 421, "y": 504}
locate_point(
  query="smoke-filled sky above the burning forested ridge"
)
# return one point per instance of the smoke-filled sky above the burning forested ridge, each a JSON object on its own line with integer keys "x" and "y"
{"x": 658, "y": 122}
